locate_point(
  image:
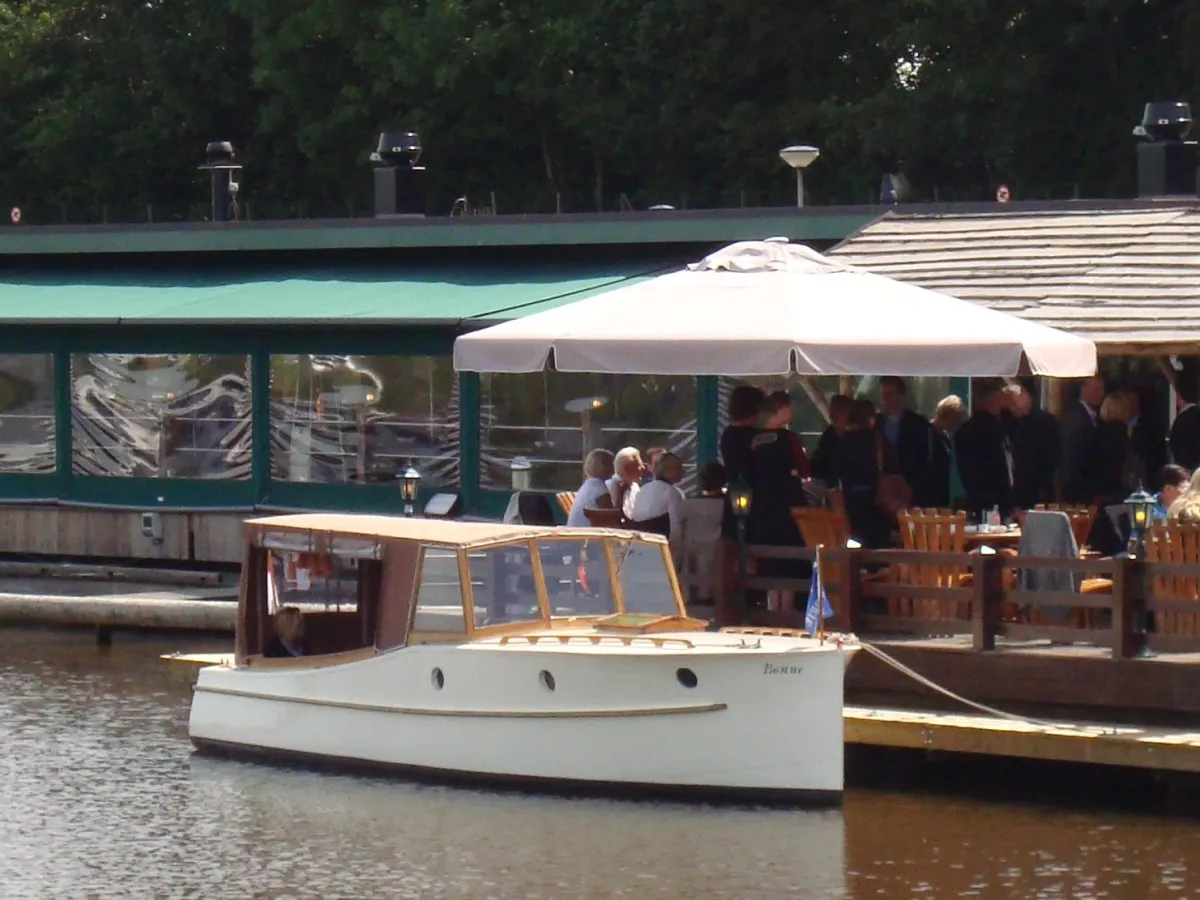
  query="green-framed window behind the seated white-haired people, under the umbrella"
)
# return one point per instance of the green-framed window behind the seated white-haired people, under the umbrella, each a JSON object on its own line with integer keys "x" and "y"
{"x": 554, "y": 419}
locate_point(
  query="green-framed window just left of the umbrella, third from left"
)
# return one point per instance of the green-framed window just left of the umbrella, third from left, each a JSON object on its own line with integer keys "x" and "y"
{"x": 364, "y": 419}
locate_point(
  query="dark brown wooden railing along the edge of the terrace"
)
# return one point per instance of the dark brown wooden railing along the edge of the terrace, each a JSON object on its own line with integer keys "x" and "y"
{"x": 1123, "y": 620}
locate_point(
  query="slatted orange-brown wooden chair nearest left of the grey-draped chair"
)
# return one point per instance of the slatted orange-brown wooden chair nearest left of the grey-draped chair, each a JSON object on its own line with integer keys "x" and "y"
{"x": 935, "y": 533}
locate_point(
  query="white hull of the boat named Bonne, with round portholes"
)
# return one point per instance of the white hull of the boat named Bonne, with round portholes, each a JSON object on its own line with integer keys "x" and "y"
{"x": 764, "y": 723}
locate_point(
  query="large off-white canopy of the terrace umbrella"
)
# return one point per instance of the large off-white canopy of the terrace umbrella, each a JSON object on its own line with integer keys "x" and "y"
{"x": 776, "y": 309}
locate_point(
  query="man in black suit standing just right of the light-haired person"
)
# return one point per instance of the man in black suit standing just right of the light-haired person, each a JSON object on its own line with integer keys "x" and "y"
{"x": 985, "y": 453}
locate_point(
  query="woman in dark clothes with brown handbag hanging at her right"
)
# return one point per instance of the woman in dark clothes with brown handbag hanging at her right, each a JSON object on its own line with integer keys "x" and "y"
{"x": 862, "y": 458}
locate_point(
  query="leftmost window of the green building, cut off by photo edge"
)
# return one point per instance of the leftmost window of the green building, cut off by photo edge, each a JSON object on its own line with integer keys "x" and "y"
{"x": 27, "y": 413}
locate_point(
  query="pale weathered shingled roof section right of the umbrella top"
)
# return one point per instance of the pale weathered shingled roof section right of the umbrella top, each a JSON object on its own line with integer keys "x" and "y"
{"x": 1129, "y": 279}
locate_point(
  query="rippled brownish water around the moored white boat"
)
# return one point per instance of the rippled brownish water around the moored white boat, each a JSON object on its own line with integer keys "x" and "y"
{"x": 103, "y": 797}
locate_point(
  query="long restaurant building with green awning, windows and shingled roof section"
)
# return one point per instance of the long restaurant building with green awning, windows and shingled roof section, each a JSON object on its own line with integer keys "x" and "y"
{"x": 160, "y": 382}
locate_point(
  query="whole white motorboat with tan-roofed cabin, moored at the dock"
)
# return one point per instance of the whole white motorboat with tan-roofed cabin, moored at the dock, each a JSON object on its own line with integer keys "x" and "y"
{"x": 515, "y": 655}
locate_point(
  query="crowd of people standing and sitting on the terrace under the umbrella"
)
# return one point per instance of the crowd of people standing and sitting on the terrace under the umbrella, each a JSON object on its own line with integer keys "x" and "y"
{"x": 1006, "y": 454}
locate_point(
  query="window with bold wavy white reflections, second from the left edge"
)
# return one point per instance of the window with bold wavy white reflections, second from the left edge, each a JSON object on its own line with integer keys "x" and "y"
{"x": 160, "y": 416}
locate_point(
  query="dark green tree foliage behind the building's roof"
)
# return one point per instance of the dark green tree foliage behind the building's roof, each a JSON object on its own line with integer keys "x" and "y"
{"x": 107, "y": 104}
